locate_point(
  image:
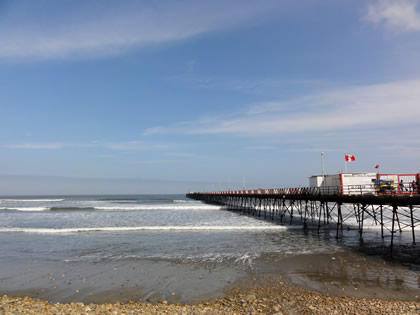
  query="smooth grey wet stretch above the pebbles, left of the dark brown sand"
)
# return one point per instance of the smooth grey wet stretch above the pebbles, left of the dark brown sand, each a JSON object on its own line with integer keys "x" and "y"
{"x": 141, "y": 280}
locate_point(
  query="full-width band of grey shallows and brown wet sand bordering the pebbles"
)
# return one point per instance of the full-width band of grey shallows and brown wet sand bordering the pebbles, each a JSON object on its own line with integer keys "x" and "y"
{"x": 340, "y": 273}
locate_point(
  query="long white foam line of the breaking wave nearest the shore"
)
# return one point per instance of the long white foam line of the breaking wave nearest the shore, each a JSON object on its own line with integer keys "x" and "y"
{"x": 142, "y": 228}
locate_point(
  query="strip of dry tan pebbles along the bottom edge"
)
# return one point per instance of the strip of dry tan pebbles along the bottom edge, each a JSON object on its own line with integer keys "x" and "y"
{"x": 259, "y": 296}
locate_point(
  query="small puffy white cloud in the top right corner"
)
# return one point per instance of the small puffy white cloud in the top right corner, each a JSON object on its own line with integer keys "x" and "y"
{"x": 398, "y": 15}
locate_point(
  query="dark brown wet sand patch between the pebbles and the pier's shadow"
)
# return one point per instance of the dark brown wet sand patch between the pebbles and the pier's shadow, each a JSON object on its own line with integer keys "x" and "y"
{"x": 345, "y": 274}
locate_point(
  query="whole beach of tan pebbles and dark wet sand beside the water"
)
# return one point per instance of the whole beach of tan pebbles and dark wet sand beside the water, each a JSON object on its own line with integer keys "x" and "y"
{"x": 314, "y": 284}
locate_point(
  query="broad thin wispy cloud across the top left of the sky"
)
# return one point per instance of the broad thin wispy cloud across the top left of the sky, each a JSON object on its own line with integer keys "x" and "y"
{"x": 107, "y": 29}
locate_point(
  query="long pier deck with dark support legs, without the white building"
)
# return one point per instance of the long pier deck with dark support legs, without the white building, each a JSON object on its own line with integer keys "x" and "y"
{"x": 326, "y": 207}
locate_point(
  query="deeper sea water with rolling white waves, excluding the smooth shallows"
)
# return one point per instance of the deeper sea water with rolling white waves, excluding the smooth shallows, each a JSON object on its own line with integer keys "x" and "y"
{"x": 106, "y": 228}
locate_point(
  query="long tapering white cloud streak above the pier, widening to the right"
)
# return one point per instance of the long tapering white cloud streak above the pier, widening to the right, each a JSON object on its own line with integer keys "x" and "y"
{"x": 371, "y": 107}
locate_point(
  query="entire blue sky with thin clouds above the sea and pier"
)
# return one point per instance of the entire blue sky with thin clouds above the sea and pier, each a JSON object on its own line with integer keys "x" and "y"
{"x": 173, "y": 96}
